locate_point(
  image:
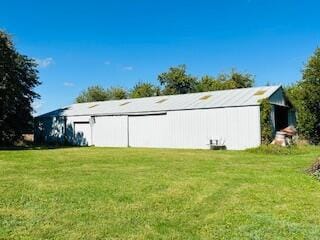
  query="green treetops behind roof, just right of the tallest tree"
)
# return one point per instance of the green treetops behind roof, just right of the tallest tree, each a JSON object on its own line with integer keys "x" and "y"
{"x": 225, "y": 81}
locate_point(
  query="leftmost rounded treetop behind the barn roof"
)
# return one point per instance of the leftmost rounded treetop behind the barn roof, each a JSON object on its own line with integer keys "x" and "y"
{"x": 93, "y": 94}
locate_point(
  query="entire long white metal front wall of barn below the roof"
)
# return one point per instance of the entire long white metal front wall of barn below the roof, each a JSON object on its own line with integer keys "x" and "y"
{"x": 239, "y": 127}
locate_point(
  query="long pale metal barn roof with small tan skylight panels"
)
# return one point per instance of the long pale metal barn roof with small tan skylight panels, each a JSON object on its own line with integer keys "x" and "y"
{"x": 201, "y": 100}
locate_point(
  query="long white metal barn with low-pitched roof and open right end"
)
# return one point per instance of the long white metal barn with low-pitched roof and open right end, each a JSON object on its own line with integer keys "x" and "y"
{"x": 231, "y": 117}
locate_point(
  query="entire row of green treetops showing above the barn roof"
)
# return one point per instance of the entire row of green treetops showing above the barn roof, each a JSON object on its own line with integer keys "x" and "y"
{"x": 175, "y": 81}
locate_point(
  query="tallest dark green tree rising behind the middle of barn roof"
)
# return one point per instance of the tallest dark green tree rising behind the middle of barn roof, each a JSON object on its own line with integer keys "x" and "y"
{"x": 177, "y": 81}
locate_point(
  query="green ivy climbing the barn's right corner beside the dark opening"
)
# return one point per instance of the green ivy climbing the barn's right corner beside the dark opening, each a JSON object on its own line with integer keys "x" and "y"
{"x": 265, "y": 119}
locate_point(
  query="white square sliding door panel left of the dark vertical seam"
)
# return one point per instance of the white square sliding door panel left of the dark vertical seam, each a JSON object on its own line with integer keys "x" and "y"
{"x": 110, "y": 131}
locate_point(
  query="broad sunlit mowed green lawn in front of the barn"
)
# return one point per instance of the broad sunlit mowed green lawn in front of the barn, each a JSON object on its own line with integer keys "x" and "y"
{"x": 109, "y": 193}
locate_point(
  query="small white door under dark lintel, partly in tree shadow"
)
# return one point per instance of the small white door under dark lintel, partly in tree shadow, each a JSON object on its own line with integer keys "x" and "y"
{"x": 82, "y": 133}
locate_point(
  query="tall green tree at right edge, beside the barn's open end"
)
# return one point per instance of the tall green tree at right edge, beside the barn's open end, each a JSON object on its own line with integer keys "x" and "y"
{"x": 306, "y": 99}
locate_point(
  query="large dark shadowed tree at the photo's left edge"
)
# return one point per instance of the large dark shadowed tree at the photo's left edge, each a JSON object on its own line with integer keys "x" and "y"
{"x": 18, "y": 78}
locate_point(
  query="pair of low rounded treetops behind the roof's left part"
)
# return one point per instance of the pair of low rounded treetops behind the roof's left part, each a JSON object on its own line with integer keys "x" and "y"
{"x": 98, "y": 93}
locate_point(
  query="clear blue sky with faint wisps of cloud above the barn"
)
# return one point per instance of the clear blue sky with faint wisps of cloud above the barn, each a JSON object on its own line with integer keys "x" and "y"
{"x": 118, "y": 43}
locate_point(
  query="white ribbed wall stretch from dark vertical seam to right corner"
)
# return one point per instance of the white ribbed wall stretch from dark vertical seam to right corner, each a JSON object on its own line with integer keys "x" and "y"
{"x": 238, "y": 127}
